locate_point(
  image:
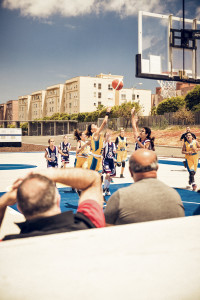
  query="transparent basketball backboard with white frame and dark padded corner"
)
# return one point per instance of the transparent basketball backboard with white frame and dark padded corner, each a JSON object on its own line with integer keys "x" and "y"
{"x": 165, "y": 51}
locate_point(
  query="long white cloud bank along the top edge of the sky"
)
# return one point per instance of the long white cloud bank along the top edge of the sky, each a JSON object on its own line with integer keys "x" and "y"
{"x": 74, "y": 8}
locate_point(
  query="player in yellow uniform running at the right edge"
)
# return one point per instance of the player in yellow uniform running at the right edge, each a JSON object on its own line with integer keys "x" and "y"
{"x": 190, "y": 149}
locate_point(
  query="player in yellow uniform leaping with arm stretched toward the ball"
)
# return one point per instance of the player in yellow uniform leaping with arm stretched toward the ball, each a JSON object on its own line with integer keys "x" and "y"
{"x": 94, "y": 132}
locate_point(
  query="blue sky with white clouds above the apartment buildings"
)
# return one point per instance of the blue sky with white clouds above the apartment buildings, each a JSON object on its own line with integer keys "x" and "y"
{"x": 46, "y": 42}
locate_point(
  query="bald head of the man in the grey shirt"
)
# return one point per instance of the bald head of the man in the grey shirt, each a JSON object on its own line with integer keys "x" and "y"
{"x": 143, "y": 163}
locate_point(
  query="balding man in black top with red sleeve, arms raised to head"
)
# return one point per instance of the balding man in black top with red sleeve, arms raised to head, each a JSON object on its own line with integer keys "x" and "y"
{"x": 39, "y": 201}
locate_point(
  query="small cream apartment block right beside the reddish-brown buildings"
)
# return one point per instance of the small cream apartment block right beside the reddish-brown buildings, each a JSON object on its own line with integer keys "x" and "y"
{"x": 24, "y": 112}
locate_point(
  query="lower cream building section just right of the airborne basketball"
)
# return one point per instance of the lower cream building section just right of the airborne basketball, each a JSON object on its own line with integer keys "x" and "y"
{"x": 143, "y": 97}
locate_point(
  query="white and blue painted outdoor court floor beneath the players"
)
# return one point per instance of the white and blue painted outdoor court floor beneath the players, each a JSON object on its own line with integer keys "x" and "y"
{"x": 171, "y": 171}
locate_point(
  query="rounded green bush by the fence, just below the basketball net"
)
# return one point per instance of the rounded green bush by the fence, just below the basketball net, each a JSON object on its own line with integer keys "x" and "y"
{"x": 170, "y": 105}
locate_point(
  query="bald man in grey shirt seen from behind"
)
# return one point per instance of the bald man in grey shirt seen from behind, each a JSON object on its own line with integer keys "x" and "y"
{"x": 147, "y": 199}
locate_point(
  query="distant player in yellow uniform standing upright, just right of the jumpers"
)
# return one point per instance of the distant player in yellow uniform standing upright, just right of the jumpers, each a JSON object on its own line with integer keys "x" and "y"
{"x": 121, "y": 145}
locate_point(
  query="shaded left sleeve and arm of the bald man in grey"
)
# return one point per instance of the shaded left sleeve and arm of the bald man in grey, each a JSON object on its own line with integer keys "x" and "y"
{"x": 111, "y": 211}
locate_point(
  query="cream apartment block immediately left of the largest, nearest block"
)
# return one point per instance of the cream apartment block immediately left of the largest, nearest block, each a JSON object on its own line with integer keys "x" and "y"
{"x": 54, "y": 101}
